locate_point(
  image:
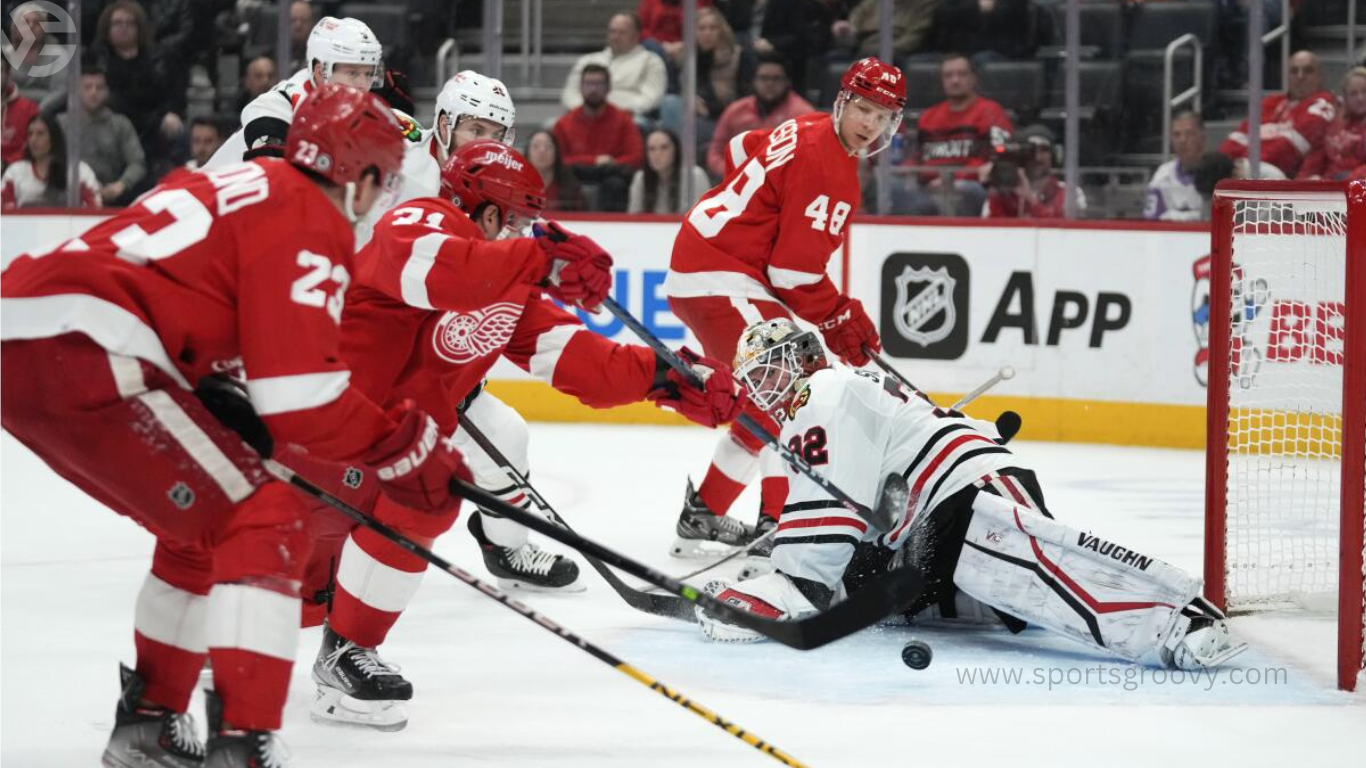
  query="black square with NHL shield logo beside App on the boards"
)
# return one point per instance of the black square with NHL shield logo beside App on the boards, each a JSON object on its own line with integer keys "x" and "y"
{"x": 925, "y": 305}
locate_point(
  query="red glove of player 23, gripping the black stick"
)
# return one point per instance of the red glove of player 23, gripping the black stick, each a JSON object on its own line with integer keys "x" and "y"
{"x": 415, "y": 467}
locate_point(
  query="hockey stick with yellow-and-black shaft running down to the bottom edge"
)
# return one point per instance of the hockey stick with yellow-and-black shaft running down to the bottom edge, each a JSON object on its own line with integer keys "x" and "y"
{"x": 289, "y": 476}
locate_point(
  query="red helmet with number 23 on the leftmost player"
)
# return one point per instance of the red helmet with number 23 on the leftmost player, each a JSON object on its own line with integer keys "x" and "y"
{"x": 341, "y": 132}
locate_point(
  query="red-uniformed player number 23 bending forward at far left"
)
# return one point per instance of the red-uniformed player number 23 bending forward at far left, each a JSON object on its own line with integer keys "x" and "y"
{"x": 103, "y": 341}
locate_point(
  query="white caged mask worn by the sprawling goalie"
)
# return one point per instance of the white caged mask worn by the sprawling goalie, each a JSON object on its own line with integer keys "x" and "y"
{"x": 775, "y": 356}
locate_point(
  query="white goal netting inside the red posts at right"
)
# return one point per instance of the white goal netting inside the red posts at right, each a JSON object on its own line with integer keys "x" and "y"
{"x": 1286, "y": 402}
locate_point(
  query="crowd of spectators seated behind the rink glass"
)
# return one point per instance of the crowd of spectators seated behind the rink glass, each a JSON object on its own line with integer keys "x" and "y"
{"x": 981, "y": 137}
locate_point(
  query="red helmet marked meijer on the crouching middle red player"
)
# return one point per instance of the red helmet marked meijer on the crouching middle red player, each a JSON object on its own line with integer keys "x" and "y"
{"x": 490, "y": 172}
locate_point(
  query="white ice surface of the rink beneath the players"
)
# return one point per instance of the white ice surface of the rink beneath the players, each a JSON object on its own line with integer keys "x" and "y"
{"x": 497, "y": 691}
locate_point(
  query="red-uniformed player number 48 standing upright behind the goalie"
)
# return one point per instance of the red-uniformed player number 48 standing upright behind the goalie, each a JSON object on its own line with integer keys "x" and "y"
{"x": 757, "y": 248}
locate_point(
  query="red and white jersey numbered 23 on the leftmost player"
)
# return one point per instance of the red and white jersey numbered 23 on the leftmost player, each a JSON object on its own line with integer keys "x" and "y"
{"x": 234, "y": 271}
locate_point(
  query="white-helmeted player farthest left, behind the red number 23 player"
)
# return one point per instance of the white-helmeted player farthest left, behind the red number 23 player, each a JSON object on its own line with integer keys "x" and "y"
{"x": 341, "y": 51}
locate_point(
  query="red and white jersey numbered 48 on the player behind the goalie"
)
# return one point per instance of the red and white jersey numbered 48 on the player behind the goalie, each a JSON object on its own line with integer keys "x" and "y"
{"x": 770, "y": 229}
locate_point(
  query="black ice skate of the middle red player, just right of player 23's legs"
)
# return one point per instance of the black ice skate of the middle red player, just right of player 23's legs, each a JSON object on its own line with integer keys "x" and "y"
{"x": 357, "y": 688}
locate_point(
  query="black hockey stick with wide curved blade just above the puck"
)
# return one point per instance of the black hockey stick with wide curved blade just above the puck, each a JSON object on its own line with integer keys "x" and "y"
{"x": 882, "y": 598}
